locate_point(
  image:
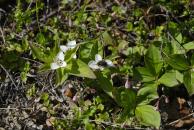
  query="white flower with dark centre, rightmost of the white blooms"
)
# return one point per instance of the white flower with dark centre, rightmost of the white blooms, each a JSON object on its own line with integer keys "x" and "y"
{"x": 99, "y": 63}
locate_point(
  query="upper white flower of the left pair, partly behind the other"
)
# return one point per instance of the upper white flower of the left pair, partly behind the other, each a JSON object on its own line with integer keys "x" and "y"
{"x": 70, "y": 45}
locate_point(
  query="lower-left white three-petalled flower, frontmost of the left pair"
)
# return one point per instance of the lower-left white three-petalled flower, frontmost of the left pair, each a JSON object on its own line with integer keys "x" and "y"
{"x": 59, "y": 61}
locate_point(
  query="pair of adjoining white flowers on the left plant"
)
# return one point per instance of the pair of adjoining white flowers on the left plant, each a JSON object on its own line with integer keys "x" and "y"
{"x": 59, "y": 60}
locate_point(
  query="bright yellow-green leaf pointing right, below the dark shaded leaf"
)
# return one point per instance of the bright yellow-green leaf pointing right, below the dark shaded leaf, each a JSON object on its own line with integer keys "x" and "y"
{"x": 169, "y": 79}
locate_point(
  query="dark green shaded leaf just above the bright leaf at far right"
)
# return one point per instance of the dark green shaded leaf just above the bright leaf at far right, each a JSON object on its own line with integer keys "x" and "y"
{"x": 177, "y": 61}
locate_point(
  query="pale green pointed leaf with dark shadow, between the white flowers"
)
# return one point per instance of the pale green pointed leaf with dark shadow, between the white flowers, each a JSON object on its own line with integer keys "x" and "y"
{"x": 79, "y": 68}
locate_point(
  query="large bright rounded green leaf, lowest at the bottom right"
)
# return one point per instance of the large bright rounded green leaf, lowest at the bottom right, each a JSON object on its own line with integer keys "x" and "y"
{"x": 147, "y": 115}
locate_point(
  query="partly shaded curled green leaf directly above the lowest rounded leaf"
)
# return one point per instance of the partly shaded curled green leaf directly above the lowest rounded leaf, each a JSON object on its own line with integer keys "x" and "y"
{"x": 148, "y": 93}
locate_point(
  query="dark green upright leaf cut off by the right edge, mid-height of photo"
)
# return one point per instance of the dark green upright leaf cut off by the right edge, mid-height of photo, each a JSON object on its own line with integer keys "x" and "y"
{"x": 188, "y": 81}
